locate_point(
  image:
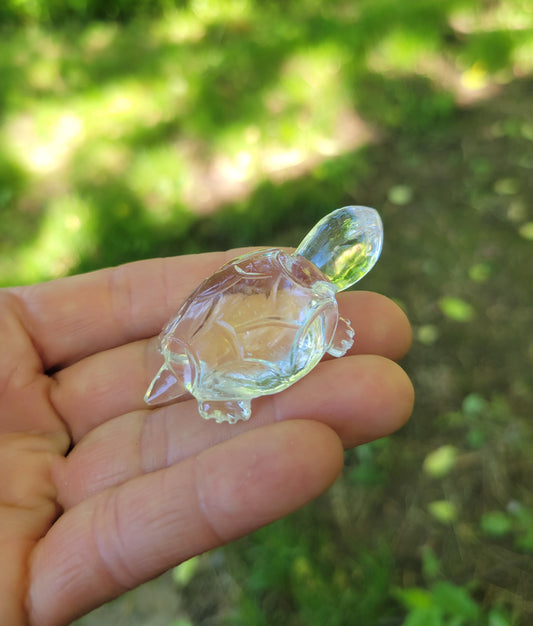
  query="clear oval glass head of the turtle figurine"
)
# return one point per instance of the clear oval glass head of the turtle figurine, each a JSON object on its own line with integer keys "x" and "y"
{"x": 345, "y": 244}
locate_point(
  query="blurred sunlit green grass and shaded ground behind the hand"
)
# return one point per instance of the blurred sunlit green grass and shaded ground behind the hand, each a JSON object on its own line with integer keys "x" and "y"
{"x": 137, "y": 129}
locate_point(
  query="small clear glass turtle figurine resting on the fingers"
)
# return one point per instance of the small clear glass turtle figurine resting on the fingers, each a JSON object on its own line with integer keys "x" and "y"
{"x": 264, "y": 320}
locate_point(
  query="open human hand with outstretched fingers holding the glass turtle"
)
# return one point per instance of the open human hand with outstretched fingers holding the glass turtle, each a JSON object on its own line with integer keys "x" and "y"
{"x": 99, "y": 494}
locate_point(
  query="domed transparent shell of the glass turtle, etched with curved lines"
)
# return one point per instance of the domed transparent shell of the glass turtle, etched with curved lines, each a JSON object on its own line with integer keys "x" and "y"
{"x": 253, "y": 328}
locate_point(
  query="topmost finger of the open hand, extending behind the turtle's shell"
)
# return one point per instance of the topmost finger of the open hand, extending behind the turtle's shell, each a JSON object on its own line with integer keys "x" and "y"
{"x": 70, "y": 318}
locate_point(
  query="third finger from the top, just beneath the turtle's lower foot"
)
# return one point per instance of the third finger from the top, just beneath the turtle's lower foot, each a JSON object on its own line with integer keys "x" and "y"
{"x": 360, "y": 397}
